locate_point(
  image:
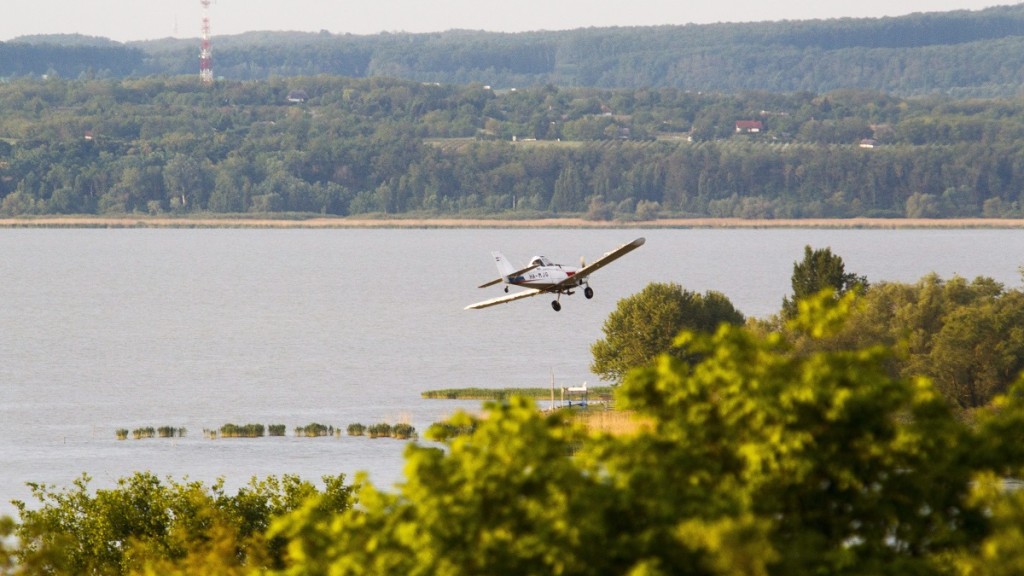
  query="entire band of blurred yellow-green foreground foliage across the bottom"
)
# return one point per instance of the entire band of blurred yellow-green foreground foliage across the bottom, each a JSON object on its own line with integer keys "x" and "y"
{"x": 759, "y": 459}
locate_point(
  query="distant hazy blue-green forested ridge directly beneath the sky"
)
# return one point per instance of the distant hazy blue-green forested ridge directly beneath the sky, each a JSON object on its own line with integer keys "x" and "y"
{"x": 977, "y": 54}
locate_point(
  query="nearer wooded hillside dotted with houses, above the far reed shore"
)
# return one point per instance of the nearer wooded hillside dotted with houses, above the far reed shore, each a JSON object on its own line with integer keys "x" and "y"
{"x": 345, "y": 146}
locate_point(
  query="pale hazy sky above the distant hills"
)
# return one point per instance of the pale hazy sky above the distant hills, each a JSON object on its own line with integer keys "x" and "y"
{"x": 141, "y": 20}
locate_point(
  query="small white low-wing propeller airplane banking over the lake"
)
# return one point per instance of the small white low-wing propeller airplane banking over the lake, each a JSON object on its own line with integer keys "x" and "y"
{"x": 545, "y": 277}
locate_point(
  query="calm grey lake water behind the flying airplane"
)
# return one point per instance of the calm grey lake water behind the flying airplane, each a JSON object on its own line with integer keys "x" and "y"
{"x": 103, "y": 330}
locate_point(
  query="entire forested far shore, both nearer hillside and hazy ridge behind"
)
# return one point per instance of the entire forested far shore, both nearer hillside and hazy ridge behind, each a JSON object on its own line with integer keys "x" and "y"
{"x": 914, "y": 116}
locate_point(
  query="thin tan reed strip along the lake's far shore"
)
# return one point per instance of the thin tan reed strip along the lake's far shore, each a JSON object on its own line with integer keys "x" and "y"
{"x": 144, "y": 222}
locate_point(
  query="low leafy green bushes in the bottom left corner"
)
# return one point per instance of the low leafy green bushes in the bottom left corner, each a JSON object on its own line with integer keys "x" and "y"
{"x": 146, "y": 525}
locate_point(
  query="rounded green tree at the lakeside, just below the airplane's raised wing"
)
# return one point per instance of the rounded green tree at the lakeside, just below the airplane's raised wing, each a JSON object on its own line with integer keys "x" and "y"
{"x": 645, "y": 325}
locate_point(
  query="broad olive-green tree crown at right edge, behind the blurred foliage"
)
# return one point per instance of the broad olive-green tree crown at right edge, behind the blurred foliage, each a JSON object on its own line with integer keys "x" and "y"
{"x": 966, "y": 337}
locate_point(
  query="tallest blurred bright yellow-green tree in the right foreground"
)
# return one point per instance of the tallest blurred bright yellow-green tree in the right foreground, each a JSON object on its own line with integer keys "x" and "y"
{"x": 839, "y": 468}
